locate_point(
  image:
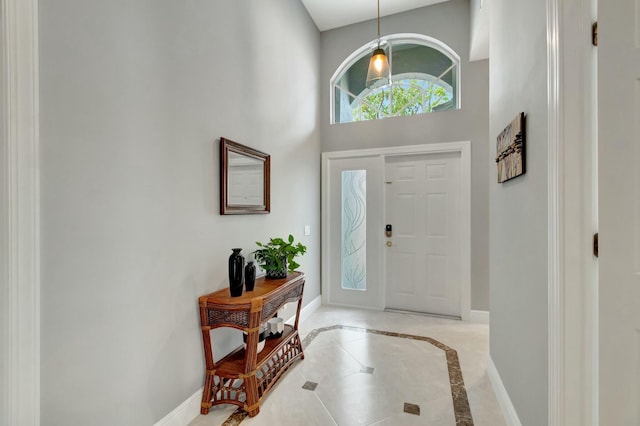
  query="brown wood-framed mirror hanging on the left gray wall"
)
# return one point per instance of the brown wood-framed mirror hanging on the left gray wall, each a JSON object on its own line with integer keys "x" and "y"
{"x": 244, "y": 179}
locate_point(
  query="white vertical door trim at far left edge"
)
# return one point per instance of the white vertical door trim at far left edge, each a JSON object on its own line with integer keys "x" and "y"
{"x": 21, "y": 196}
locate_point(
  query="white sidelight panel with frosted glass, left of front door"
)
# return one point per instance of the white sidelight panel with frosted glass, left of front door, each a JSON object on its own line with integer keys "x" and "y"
{"x": 354, "y": 197}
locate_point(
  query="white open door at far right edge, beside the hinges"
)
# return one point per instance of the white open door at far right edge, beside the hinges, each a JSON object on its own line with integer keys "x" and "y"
{"x": 619, "y": 210}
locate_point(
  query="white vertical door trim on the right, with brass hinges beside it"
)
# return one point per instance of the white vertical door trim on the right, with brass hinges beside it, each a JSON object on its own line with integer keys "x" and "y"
{"x": 572, "y": 215}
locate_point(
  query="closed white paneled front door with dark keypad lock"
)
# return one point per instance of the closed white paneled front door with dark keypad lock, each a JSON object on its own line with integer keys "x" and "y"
{"x": 423, "y": 205}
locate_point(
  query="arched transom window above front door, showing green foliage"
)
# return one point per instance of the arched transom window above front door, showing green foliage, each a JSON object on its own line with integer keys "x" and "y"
{"x": 424, "y": 77}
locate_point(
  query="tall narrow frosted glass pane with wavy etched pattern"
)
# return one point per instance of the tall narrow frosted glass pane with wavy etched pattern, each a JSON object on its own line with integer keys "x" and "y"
{"x": 354, "y": 229}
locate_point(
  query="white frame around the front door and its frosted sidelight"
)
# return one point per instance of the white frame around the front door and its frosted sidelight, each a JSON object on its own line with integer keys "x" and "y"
{"x": 464, "y": 149}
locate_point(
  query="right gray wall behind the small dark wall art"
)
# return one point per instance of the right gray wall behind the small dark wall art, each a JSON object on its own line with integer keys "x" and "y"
{"x": 519, "y": 208}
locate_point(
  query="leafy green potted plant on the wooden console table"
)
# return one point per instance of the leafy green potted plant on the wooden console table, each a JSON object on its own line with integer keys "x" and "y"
{"x": 277, "y": 256}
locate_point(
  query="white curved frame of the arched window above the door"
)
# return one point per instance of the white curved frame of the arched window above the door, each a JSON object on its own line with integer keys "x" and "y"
{"x": 395, "y": 38}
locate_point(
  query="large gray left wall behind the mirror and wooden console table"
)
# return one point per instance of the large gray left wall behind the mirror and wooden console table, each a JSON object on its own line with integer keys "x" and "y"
{"x": 134, "y": 96}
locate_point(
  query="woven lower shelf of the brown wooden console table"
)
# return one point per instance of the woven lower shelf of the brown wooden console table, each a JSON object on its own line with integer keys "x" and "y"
{"x": 229, "y": 384}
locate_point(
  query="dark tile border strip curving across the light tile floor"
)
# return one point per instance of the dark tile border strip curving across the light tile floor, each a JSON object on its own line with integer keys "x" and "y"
{"x": 461, "y": 408}
